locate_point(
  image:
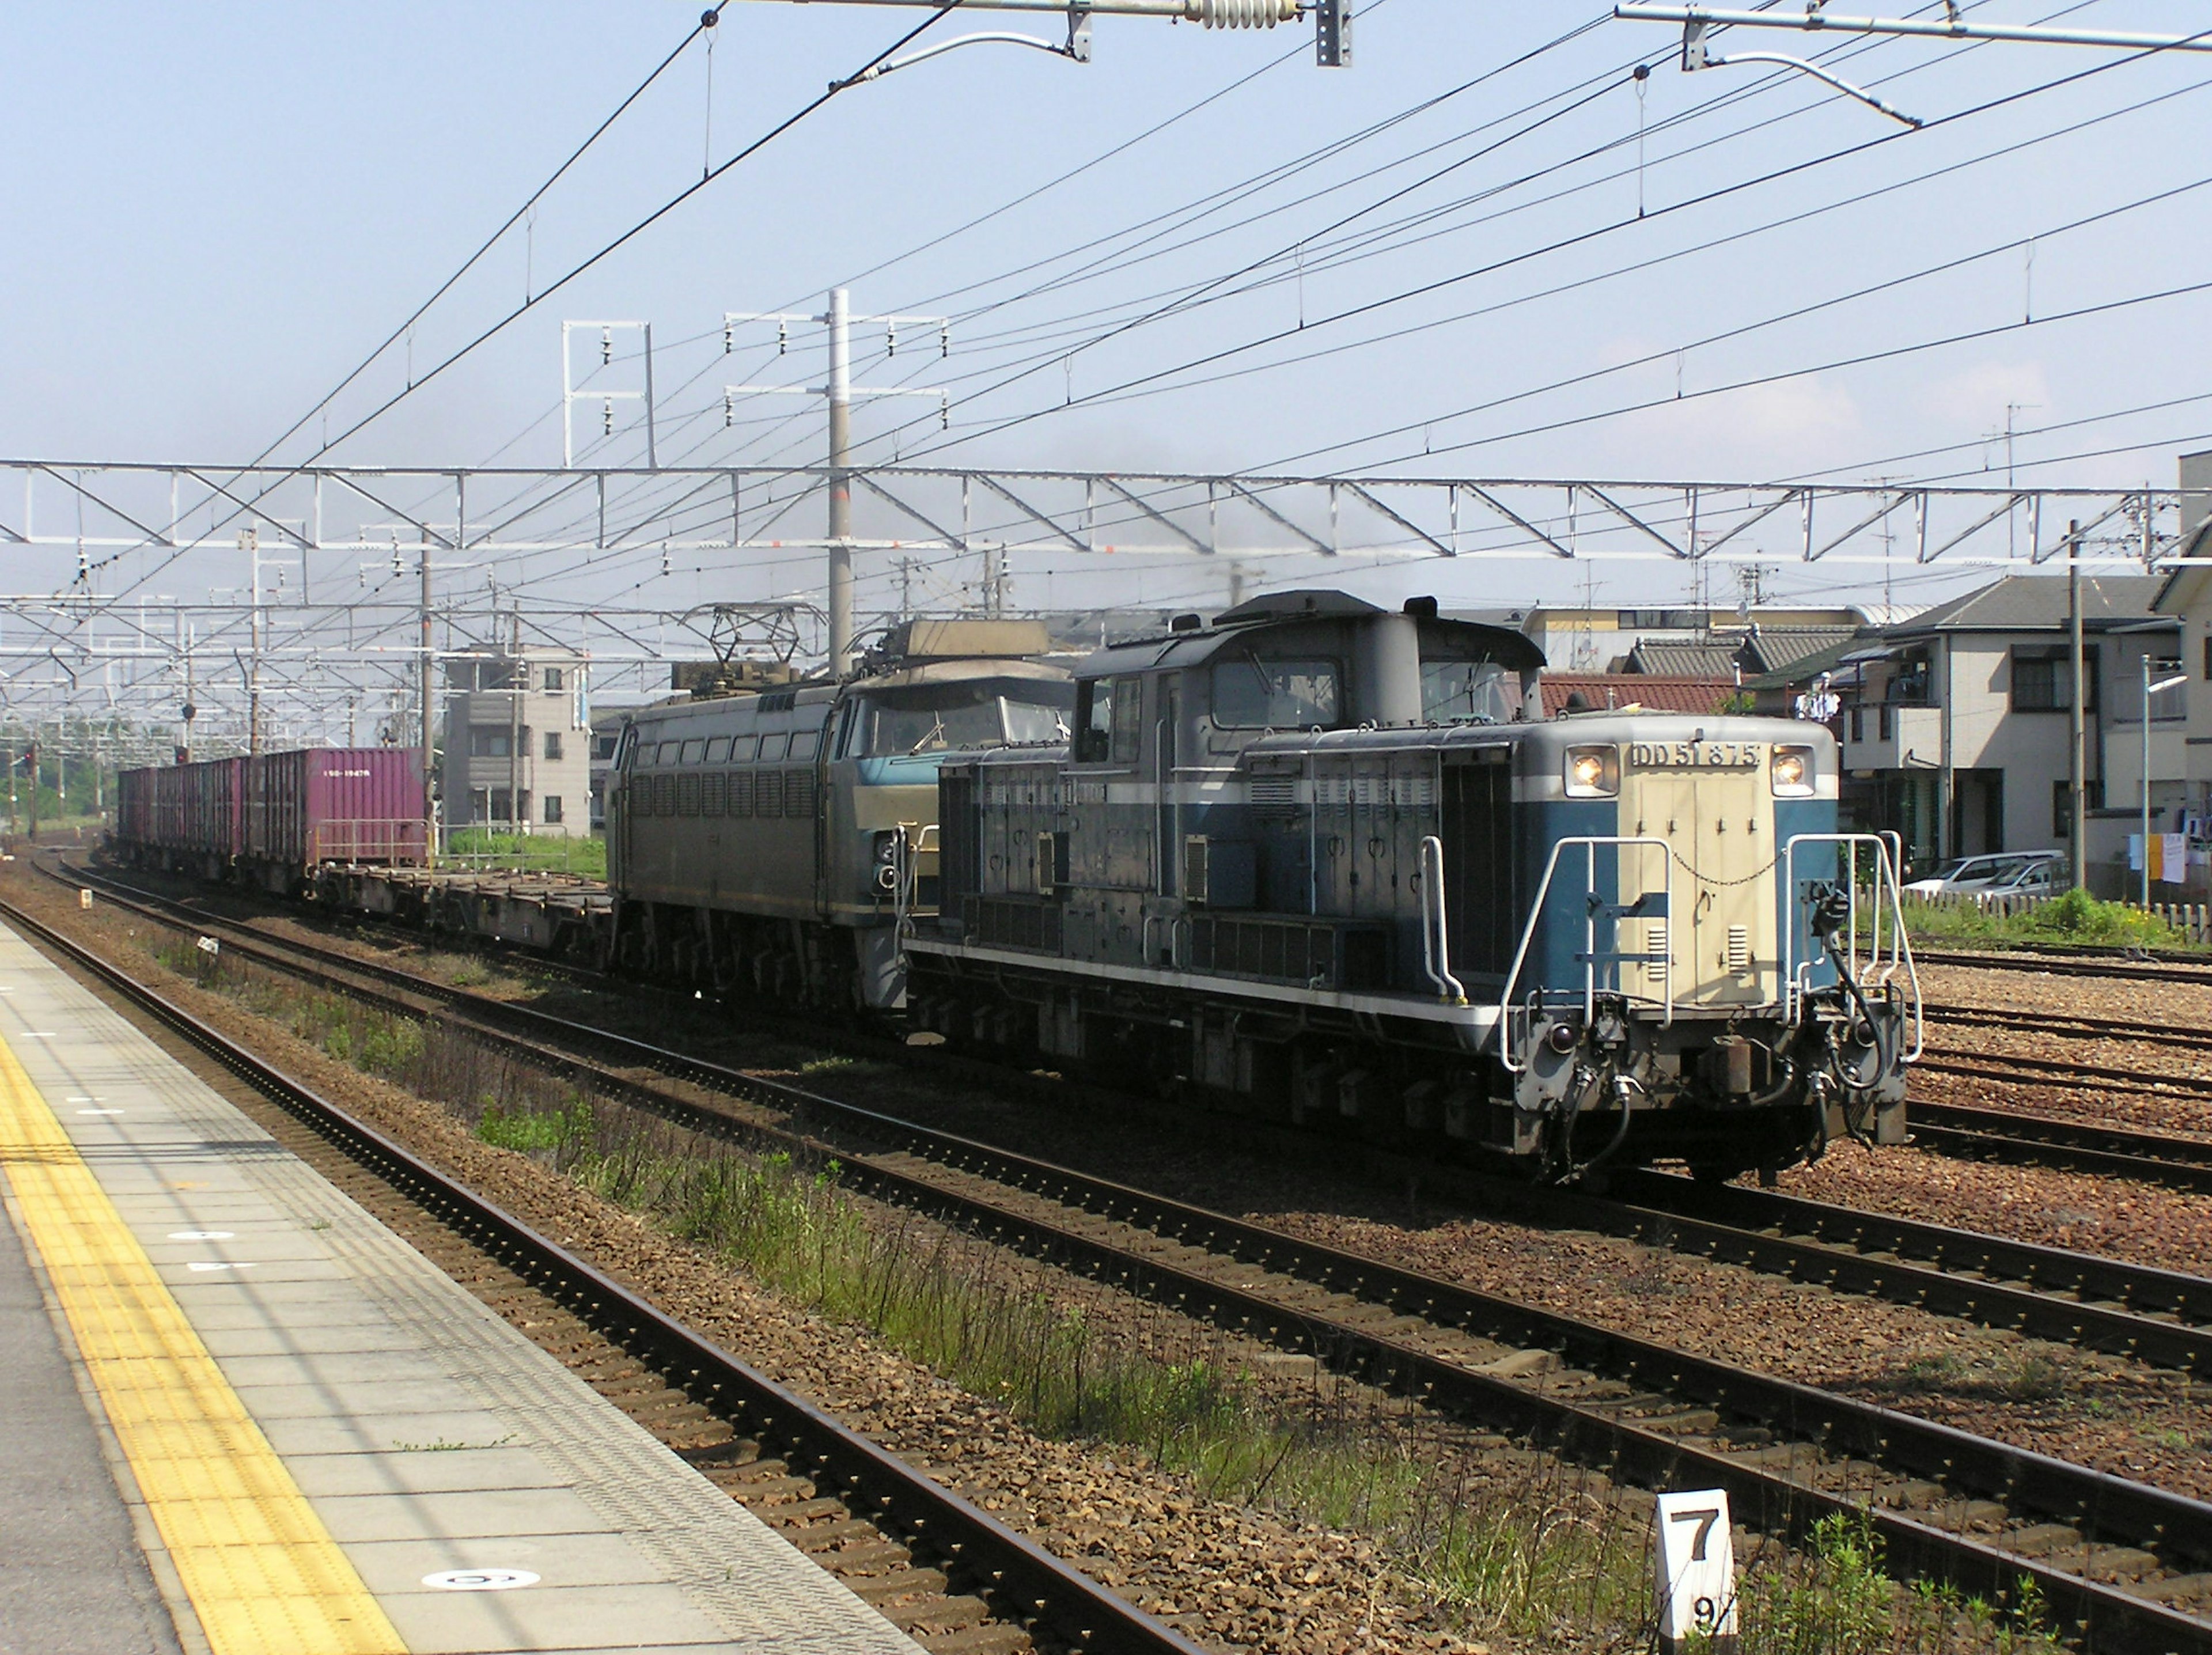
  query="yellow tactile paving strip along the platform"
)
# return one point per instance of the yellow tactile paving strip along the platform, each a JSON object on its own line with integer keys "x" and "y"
{"x": 260, "y": 1568}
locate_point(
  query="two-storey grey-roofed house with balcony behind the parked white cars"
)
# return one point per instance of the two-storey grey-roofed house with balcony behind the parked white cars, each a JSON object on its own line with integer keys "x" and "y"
{"x": 1957, "y": 722}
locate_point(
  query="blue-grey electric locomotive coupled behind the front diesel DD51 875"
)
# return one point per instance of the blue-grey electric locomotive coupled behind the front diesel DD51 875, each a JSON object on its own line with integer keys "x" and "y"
{"x": 773, "y": 842}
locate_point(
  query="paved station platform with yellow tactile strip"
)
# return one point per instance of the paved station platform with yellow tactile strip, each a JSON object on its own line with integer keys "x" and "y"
{"x": 247, "y": 1419}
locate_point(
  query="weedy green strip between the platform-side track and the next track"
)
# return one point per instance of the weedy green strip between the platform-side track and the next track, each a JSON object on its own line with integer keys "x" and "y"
{"x": 1514, "y": 1543}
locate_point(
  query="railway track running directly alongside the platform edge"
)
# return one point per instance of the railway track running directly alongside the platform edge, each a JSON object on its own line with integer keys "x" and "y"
{"x": 968, "y": 1581}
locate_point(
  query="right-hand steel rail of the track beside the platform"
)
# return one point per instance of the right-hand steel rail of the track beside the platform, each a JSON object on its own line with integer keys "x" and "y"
{"x": 1012, "y": 1572}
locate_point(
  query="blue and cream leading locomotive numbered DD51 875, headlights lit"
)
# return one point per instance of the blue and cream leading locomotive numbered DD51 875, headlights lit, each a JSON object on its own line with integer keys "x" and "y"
{"x": 1324, "y": 862}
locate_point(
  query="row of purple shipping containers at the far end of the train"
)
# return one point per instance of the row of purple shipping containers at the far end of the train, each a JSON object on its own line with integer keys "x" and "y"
{"x": 278, "y": 818}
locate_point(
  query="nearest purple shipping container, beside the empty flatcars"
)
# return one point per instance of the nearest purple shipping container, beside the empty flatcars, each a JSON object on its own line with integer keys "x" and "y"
{"x": 335, "y": 806}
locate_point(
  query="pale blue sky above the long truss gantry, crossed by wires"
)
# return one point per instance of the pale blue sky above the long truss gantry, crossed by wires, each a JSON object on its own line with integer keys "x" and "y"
{"x": 216, "y": 211}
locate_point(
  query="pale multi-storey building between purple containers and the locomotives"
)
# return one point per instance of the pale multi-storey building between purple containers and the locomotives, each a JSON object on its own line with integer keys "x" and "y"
{"x": 517, "y": 751}
